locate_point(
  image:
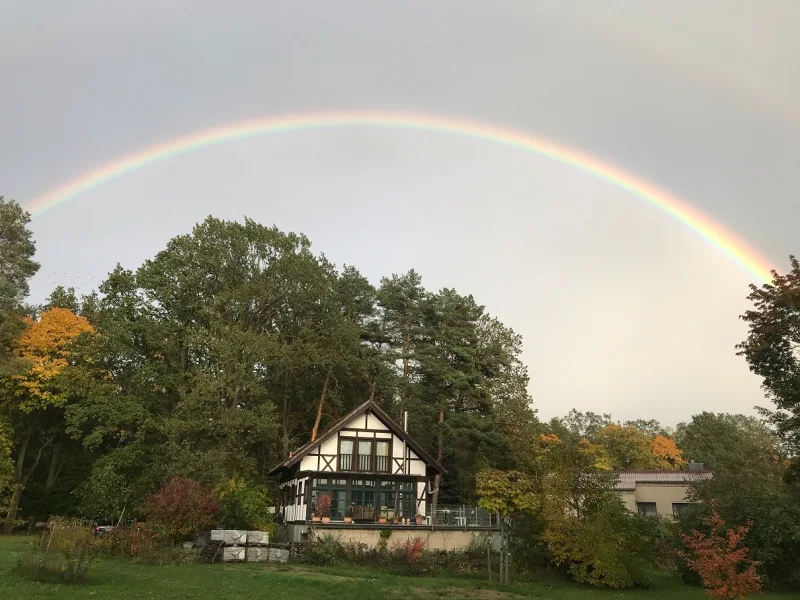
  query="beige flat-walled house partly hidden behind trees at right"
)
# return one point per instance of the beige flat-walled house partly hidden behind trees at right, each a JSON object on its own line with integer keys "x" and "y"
{"x": 658, "y": 492}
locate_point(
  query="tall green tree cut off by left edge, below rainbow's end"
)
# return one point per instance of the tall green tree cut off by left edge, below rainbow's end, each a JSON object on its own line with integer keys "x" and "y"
{"x": 16, "y": 268}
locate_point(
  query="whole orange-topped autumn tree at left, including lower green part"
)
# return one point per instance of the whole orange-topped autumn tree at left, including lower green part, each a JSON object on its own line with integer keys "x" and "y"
{"x": 35, "y": 397}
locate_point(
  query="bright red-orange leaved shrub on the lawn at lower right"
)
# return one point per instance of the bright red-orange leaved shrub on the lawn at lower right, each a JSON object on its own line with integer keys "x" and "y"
{"x": 721, "y": 560}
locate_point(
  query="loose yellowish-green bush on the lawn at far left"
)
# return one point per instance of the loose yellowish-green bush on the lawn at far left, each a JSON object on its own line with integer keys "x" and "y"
{"x": 63, "y": 553}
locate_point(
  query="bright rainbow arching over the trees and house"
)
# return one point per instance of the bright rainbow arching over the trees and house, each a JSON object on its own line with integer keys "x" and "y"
{"x": 713, "y": 233}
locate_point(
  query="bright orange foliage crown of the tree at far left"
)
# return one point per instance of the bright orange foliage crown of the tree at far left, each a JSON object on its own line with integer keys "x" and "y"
{"x": 45, "y": 346}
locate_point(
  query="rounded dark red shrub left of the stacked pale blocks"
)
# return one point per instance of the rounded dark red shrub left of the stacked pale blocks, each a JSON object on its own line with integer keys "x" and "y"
{"x": 182, "y": 508}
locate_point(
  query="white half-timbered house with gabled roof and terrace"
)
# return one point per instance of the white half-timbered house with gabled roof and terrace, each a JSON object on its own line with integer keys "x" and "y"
{"x": 370, "y": 475}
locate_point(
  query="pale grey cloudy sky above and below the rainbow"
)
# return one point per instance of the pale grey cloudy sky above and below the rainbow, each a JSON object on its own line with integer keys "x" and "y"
{"x": 622, "y": 309}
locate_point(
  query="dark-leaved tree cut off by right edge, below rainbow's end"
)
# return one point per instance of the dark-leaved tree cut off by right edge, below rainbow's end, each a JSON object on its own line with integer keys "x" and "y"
{"x": 772, "y": 347}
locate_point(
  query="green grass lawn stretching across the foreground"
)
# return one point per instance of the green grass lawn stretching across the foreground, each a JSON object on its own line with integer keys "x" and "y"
{"x": 113, "y": 579}
